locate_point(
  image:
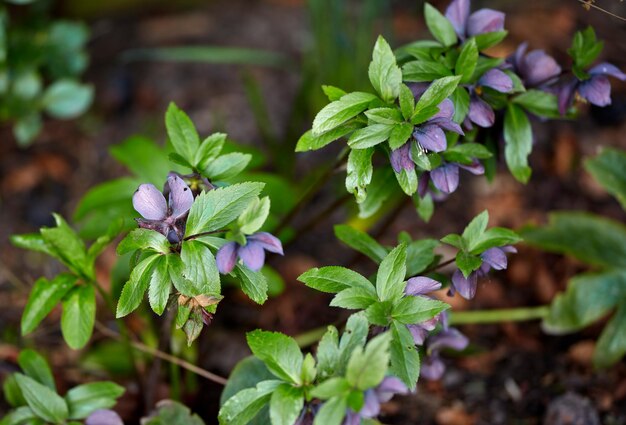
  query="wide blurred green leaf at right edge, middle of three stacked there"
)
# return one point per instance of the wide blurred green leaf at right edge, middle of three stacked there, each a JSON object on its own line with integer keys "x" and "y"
{"x": 589, "y": 238}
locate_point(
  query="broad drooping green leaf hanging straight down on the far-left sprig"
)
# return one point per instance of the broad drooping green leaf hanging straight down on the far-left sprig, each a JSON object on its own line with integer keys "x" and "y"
{"x": 79, "y": 315}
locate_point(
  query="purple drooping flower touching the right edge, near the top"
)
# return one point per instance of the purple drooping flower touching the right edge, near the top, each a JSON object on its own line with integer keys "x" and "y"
{"x": 595, "y": 90}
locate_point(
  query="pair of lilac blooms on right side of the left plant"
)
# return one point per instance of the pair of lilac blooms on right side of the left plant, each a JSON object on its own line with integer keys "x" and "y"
{"x": 252, "y": 254}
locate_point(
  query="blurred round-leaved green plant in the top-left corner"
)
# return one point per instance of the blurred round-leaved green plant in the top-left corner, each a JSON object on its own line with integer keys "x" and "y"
{"x": 41, "y": 61}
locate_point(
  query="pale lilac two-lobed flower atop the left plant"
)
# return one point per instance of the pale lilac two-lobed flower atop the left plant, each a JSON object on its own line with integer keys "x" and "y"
{"x": 164, "y": 217}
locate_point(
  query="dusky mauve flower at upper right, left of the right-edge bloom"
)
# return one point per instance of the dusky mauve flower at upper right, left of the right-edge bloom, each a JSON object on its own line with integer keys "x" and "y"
{"x": 535, "y": 68}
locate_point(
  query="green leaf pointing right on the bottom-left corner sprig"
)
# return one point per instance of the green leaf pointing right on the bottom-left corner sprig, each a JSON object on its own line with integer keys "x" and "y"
{"x": 87, "y": 398}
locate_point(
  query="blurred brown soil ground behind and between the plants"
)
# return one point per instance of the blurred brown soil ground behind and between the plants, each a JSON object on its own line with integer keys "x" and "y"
{"x": 517, "y": 373}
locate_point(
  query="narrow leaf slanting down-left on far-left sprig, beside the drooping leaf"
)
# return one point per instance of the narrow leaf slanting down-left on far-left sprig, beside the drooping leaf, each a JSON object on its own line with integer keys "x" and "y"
{"x": 44, "y": 296}
